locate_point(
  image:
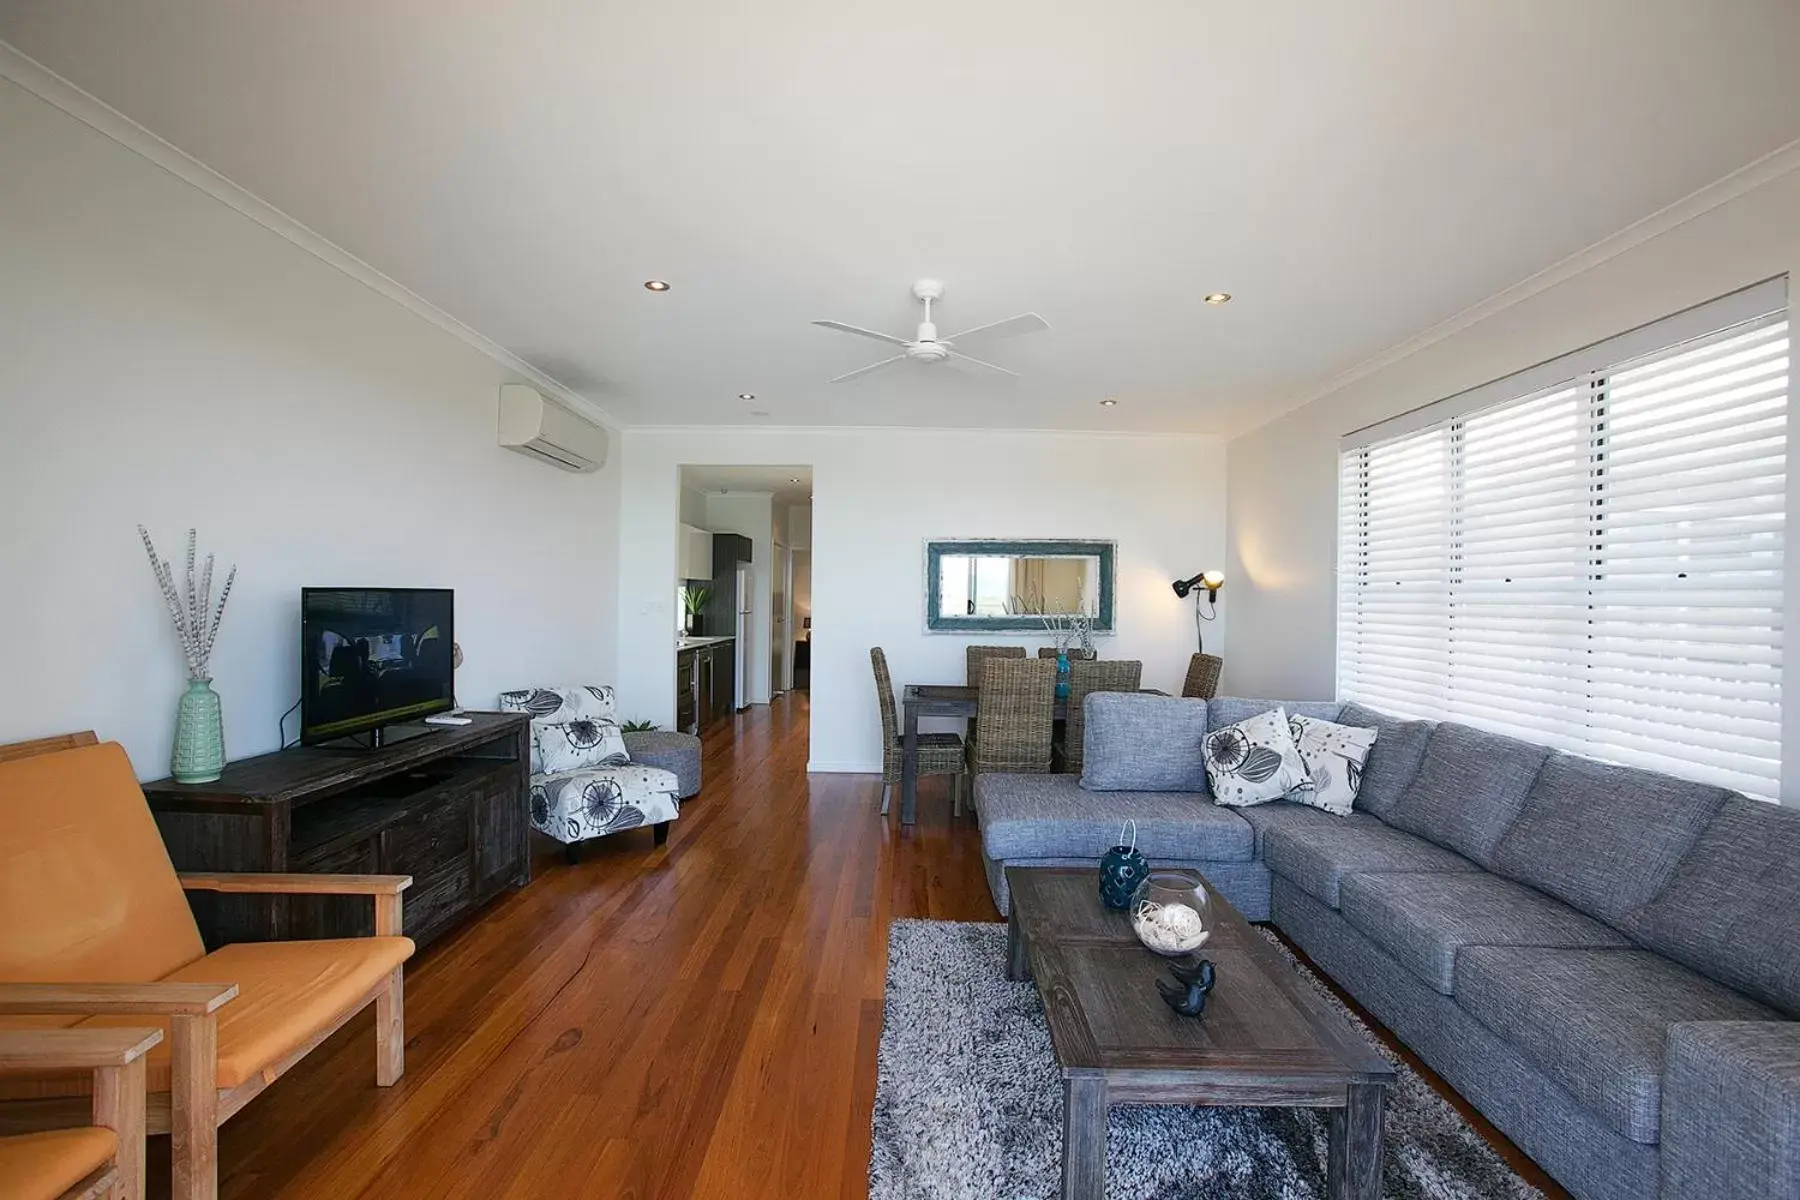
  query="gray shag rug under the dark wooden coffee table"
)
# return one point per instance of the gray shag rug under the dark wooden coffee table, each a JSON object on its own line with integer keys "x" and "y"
{"x": 969, "y": 1106}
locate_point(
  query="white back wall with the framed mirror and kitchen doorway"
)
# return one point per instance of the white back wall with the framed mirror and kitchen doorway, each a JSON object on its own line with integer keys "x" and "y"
{"x": 877, "y": 497}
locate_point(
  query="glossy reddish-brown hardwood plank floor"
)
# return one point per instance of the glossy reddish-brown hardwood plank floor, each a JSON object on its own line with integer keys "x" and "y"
{"x": 687, "y": 1021}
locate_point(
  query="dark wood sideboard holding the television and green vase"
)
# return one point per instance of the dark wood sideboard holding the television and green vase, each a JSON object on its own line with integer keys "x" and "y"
{"x": 451, "y": 809}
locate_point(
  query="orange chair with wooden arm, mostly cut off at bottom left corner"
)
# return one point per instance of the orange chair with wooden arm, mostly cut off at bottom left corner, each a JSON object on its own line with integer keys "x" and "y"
{"x": 102, "y": 1160}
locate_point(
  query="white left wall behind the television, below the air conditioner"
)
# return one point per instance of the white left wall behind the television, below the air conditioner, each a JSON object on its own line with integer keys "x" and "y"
{"x": 166, "y": 361}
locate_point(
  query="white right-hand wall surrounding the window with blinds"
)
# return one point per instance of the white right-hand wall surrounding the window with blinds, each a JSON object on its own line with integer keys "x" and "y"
{"x": 1284, "y": 476}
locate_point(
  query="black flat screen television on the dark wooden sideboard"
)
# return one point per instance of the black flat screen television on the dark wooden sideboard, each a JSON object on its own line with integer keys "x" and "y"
{"x": 373, "y": 658}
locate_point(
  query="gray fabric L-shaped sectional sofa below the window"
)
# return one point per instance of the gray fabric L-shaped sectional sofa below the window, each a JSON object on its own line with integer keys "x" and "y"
{"x": 1605, "y": 962}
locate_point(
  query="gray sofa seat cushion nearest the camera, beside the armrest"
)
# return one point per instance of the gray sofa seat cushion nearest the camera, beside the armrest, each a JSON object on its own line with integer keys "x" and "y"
{"x": 1596, "y": 1021}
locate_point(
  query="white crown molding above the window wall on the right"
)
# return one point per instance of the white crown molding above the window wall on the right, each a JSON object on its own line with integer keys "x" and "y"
{"x": 1747, "y": 179}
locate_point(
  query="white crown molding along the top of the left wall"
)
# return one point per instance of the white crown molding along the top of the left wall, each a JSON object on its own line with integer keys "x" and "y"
{"x": 109, "y": 121}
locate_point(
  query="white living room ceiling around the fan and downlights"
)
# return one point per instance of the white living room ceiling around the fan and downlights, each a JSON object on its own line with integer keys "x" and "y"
{"x": 1353, "y": 174}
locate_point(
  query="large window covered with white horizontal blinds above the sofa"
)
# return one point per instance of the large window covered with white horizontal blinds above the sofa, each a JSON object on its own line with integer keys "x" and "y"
{"x": 1588, "y": 555}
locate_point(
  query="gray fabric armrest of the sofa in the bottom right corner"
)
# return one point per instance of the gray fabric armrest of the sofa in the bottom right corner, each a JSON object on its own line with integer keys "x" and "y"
{"x": 1732, "y": 1111}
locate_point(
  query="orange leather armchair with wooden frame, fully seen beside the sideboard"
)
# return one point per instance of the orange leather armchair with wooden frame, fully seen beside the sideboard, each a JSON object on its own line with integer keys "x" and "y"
{"x": 96, "y": 931}
